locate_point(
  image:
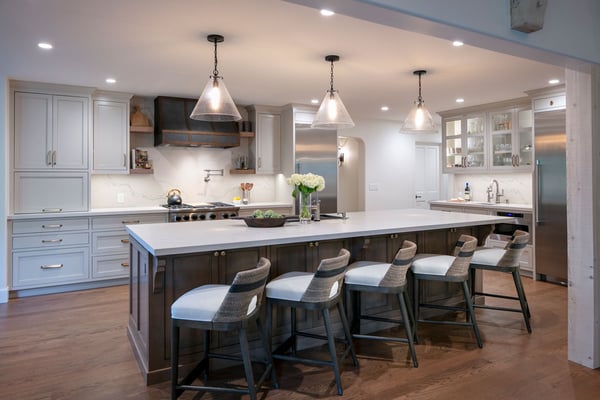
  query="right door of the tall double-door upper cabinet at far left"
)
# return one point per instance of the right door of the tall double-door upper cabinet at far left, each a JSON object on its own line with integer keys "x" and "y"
{"x": 70, "y": 132}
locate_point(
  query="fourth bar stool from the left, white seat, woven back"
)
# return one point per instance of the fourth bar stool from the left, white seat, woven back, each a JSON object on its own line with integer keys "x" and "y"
{"x": 444, "y": 268}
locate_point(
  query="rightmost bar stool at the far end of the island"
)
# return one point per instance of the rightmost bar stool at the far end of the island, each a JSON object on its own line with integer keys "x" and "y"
{"x": 504, "y": 260}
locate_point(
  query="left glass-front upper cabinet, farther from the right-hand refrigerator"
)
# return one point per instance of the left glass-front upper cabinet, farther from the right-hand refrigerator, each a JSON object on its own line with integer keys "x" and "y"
{"x": 465, "y": 143}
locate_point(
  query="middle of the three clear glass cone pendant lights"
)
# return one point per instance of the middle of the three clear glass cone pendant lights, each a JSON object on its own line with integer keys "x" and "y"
{"x": 332, "y": 114}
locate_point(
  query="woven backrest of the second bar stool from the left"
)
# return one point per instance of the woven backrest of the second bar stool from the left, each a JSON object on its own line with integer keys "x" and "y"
{"x": 327, "y": 282}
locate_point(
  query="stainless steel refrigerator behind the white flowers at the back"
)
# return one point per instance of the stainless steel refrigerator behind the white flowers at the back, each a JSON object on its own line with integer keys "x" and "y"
{"x": 316, "y": 152}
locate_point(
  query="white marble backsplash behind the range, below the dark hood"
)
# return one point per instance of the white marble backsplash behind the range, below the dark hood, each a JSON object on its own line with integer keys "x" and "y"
{"x": 183, "y": 168}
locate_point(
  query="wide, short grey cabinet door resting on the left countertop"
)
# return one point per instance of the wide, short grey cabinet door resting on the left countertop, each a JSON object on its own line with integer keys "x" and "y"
{"x": 50, "y": 192}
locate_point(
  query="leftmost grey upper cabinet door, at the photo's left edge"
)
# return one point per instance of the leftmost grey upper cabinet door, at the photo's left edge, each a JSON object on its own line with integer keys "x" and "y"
{"x": 32, "y": 131}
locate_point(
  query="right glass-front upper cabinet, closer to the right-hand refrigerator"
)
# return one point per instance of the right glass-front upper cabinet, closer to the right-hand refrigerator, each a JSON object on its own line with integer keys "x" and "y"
{"x": 511, "y": 139}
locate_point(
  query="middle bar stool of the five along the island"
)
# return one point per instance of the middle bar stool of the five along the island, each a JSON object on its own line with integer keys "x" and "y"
{"x": 372, "y": 276}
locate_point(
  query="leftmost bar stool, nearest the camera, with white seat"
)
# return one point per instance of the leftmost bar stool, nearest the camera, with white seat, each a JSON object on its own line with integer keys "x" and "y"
{"x": 222, "y": 308}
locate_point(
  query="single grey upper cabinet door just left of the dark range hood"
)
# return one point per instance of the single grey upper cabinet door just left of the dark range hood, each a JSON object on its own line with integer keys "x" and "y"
{"x": 110, "y": 143}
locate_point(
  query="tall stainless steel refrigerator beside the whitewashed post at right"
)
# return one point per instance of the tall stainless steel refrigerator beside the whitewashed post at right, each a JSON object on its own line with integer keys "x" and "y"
{"x": 550, "y": 194}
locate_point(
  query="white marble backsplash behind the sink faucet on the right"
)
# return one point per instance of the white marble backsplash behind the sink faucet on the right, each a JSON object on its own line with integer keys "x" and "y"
{"x": 518, "y": 187}
